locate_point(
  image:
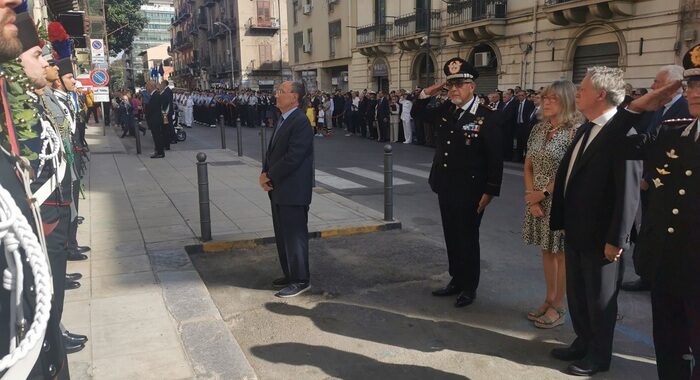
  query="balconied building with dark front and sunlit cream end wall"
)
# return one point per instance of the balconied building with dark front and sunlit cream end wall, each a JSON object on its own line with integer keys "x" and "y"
{"x": 213, "y": 39}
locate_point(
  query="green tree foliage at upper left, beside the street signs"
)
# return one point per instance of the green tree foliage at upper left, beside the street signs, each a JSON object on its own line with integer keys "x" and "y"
{"x": 118, "y": 14}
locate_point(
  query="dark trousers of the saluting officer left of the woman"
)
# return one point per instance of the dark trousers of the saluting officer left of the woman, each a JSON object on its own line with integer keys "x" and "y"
{"x": 460, "y": 225}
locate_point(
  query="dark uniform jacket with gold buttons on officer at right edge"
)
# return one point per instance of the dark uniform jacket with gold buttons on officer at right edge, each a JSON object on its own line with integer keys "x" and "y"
{"x": 669, "y": 240}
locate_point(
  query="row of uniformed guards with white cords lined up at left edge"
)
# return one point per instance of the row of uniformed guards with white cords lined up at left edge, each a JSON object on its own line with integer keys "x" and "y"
{"x": 42, "y": 160}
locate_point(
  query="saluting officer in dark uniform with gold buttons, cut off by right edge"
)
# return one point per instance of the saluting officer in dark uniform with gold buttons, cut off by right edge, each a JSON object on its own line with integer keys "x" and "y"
{"x": 669, "y": 237}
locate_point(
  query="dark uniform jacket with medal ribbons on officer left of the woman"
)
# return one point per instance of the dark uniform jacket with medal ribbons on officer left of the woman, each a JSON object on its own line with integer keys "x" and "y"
{"x": 468, "y": 155}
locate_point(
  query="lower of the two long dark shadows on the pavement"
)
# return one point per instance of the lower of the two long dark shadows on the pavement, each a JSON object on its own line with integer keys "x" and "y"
{"x": 345, "y": 365}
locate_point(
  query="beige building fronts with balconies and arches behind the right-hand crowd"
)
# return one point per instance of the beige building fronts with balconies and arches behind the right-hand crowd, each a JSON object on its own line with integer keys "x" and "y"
{"x": 528, "y": 43}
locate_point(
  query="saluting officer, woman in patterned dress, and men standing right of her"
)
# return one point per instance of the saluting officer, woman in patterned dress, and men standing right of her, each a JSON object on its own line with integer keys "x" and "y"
{"x": 583, "y": 176}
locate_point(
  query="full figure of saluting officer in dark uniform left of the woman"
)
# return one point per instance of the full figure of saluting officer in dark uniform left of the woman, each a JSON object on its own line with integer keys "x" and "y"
{"x": 466, "y": 173}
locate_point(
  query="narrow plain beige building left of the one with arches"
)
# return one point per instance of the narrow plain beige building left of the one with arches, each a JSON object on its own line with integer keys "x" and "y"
{"x": 321, "y": 49}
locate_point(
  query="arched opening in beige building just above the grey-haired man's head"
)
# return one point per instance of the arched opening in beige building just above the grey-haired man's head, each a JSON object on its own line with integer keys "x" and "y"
{"x": 595, "y": 47}
